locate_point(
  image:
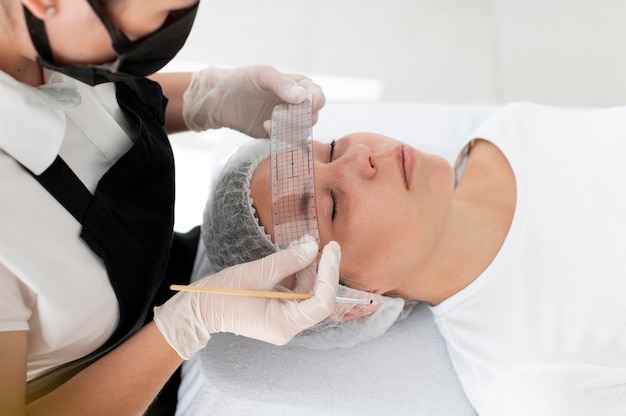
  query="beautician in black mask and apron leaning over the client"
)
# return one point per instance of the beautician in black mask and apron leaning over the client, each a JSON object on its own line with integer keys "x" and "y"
{"x": 86, "y": 207}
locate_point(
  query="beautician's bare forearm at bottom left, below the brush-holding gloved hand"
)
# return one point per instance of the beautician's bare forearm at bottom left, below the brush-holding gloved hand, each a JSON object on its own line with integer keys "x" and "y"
{"x": 124, "y": 382}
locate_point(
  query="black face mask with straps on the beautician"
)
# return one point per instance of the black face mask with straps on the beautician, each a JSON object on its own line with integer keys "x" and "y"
{"x": 135, "y": 59}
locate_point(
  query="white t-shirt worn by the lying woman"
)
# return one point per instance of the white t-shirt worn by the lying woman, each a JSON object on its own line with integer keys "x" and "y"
{"x": 543, "y": 330}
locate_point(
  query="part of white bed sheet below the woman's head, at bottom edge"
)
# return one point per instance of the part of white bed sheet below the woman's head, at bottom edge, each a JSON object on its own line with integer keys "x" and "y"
{"x": 405, "y": 371}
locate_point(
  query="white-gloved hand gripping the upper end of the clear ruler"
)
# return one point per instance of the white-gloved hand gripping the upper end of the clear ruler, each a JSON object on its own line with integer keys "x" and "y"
{"x": 243, "y": 98}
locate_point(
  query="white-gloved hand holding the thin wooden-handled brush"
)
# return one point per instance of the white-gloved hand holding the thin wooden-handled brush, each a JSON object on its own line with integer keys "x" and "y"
{"x": 188, "y": 318}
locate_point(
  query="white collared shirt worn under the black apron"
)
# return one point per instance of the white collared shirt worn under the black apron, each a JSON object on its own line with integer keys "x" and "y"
{"x": 51, "y": 284}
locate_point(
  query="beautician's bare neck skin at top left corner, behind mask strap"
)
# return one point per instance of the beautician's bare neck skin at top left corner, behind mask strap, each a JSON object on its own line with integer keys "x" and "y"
{"x": 16, "y": 51}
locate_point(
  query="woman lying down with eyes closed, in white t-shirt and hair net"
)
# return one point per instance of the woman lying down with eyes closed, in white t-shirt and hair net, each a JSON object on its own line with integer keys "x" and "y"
{"x": 518, "y": 248}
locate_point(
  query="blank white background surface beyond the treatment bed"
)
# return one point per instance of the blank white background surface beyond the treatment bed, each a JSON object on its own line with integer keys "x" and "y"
{"x": 562, "y": 52}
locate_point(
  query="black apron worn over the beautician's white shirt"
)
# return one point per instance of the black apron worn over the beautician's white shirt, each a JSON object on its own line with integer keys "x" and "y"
{"x": 128, "y": 221}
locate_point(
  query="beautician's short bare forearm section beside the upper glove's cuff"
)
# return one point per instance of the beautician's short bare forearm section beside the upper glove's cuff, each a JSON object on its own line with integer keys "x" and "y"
{"x": 174, "y": 85}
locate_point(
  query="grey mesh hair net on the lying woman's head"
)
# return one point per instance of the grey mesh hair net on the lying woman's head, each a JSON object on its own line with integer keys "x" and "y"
{"x": 231, "y": 234}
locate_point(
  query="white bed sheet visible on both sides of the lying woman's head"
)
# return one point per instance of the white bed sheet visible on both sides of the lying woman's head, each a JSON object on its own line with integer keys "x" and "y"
{"x": 405, "y": 371}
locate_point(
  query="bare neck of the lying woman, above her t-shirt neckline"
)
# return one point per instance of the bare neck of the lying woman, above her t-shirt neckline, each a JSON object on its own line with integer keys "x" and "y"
{"x": 479, "y": 220}
